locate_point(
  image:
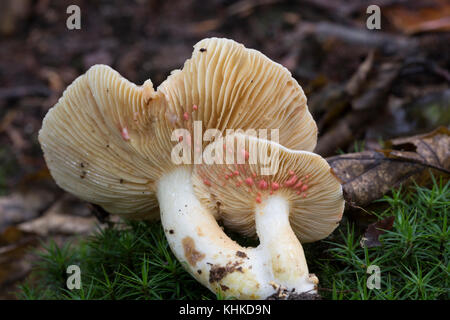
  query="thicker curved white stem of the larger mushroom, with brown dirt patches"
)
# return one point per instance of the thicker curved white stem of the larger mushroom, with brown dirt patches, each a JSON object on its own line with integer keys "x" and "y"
{"x": 200, "y": 244}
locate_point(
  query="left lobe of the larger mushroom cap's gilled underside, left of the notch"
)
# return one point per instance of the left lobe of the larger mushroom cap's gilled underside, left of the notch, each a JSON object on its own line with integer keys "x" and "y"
{"x": 105, "y": 142}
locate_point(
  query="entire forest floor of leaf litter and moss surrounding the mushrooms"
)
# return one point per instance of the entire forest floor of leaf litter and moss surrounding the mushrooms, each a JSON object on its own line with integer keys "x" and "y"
{"x": 380, "y": 99}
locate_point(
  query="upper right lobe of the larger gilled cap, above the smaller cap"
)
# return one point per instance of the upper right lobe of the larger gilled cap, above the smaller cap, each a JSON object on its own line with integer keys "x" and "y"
{"x": 235, "y": 87}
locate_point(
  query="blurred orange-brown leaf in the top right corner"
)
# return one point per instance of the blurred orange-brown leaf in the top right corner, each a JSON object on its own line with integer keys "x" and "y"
{"x": 433, "y": 17}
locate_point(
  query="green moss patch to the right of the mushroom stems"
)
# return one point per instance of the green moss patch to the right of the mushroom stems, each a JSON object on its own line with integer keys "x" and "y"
{"x": 413, "y": 258}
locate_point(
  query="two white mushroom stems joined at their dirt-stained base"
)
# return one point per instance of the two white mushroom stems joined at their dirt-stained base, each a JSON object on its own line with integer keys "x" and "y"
{"x": 218, "y": 262}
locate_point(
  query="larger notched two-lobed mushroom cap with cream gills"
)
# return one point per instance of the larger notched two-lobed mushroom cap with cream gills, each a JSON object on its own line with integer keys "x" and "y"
{"x": 108, "y": 140}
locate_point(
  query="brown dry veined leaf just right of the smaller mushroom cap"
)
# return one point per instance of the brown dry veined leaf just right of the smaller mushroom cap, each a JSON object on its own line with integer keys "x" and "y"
{"x": 368, "y": 175}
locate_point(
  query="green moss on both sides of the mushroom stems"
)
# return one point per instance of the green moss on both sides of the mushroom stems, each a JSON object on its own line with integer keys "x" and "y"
{"x": 133, "y": 260}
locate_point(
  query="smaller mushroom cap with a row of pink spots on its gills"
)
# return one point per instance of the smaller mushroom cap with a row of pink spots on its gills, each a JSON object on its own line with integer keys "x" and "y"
{"x": 233, "y": 189}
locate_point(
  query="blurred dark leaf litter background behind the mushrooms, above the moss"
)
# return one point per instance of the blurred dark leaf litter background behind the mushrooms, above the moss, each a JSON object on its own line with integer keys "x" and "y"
{"x": 364, "y": 87}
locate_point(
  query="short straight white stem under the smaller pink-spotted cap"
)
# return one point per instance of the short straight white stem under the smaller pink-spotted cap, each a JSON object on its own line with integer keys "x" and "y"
{"x": 279, "y": 242}
